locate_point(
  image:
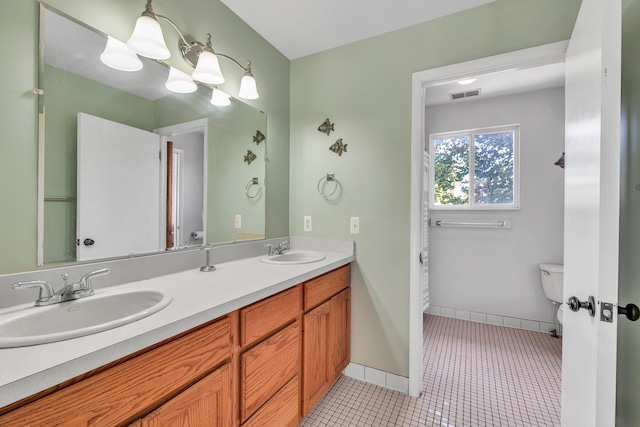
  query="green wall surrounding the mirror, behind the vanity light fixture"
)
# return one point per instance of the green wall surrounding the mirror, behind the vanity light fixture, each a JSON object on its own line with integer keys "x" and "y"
{"x": 19, "y": 118}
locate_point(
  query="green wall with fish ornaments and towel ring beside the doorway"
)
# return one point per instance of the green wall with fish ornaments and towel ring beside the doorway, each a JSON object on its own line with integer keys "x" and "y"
{"x": 365, "y": 89}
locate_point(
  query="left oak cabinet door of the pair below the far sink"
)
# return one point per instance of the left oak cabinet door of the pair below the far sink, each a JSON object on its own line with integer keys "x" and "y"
{"x": 316, "y": 375}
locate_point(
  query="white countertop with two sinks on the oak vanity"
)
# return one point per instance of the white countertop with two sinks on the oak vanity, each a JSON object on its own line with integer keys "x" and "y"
{"x": 197, "y": 298}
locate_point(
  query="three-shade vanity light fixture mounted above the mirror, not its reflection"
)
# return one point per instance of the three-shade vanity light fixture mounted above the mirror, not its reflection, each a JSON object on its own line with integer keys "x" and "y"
{"x": 147, "y": 40}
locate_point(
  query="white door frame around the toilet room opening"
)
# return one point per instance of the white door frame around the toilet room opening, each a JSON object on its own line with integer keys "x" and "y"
{"x": 526, "y": 58}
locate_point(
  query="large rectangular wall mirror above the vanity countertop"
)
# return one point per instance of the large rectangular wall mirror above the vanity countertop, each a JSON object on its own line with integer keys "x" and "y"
{"x": 74, "y": 80}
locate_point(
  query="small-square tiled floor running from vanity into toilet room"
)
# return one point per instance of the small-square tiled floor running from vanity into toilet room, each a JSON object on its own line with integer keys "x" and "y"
{"x": 475, "y": 375}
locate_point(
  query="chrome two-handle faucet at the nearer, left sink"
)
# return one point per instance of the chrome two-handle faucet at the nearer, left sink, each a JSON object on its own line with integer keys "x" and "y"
{"x": 47, "y": 296}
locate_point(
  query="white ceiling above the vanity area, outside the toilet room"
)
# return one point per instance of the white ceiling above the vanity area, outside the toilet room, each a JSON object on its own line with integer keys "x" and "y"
{"x": 299, "y": 28}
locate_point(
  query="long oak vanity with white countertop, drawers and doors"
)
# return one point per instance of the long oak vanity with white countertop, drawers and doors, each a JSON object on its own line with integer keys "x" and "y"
{"x": 250, "y": 344}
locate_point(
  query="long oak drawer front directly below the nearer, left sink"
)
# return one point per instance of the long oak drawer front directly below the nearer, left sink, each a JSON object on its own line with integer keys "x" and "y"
{"x": 131, "y": 389}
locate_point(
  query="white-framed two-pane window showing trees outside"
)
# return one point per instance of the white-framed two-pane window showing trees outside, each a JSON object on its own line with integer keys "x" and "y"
{"x": 475, "y": 169}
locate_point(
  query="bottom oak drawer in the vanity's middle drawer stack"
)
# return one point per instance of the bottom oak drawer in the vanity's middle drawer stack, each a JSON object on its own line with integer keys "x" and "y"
{"x": 281, "y": 410}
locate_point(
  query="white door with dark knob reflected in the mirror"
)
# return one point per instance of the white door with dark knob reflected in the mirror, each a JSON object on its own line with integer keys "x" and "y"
{"x": 119, "y": 189}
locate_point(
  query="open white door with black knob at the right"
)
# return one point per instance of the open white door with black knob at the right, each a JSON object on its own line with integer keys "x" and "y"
{"x": 592, "y": 180}
